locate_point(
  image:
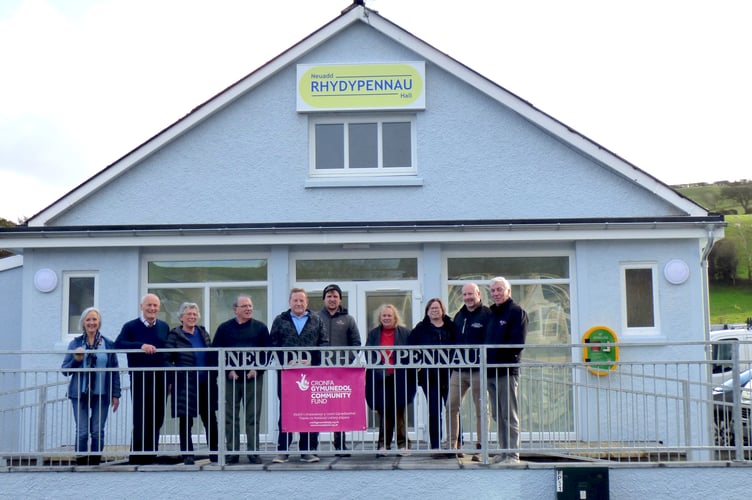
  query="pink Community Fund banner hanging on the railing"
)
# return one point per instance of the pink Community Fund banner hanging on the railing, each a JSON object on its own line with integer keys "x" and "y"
{"x": 323, "y": 399}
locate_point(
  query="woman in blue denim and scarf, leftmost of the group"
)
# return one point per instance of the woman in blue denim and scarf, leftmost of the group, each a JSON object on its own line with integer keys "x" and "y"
{"x": 91, "y": 391}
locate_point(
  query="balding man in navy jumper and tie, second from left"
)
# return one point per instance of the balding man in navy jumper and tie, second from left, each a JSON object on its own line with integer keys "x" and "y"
{"x": 148, "y": 386}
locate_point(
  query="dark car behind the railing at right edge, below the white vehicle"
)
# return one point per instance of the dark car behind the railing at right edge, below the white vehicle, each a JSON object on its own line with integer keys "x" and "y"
{"x": 723, "y": 404}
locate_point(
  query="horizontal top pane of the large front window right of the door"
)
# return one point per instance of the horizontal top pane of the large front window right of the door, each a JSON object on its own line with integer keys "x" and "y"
{"x": 485, "y": 268}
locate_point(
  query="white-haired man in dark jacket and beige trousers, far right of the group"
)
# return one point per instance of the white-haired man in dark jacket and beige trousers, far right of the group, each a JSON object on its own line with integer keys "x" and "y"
{"x": 508, "y": 325}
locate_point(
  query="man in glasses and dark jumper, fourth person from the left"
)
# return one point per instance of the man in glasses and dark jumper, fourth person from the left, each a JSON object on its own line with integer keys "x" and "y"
{"x": 243, "y": 386}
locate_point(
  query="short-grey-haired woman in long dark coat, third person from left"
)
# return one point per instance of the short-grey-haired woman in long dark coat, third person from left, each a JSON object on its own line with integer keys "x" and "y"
{"x": 194, "y": 392}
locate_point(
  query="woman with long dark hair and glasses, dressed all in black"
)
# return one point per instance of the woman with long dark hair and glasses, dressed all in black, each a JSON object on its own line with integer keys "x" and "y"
{"x": 435, "y": 329}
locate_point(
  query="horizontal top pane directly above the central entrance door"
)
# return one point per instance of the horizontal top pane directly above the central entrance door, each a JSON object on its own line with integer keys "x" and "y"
{"x": 356, "y": 269}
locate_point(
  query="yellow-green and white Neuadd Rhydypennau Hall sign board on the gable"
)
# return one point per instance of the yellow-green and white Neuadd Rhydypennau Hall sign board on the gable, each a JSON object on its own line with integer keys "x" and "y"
{"x": 361, "y": 86}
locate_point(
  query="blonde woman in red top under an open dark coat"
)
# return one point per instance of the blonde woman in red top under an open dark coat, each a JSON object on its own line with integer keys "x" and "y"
{"x": 390, "y": 390}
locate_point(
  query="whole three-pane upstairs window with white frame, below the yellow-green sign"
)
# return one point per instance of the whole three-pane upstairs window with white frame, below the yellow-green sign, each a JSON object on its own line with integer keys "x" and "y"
{"x": 363, "y": 145}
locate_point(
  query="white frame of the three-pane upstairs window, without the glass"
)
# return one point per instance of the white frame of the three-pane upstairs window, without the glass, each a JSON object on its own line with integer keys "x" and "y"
{"x": 346, "y": 119}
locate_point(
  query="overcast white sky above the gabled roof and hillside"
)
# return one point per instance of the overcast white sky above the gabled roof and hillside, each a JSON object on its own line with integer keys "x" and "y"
{"x": 664, "y": 84}
